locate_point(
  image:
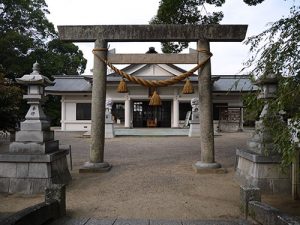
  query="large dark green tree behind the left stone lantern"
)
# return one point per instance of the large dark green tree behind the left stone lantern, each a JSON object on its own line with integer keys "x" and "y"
{"x": 27, "y": 36}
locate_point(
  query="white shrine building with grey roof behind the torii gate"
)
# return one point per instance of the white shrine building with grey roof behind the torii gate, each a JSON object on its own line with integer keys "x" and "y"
{"x": 132, "y": 109}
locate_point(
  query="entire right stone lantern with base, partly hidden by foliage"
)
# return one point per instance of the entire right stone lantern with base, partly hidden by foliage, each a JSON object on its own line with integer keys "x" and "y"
{"x": 258, "y": 165}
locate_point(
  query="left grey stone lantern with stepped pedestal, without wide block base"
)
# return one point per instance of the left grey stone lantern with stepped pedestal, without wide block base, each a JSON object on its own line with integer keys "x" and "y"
{"x": 36, "y": 127}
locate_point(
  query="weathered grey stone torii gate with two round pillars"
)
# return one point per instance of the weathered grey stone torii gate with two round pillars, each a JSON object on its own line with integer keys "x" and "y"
{"x": 102, "y": 34}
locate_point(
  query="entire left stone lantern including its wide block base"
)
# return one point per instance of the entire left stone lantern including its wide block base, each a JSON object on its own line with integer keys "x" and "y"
{"x": 34, "y": 160}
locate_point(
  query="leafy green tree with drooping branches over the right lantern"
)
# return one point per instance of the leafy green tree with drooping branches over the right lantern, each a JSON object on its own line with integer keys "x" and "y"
{"x": 277, "y": 51}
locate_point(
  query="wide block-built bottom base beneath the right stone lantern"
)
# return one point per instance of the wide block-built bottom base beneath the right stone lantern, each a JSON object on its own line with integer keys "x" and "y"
{"x": 263, "y": 172}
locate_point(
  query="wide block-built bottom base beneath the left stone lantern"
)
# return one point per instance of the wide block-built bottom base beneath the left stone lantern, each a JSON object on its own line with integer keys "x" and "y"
{"x": 32, "y": 173}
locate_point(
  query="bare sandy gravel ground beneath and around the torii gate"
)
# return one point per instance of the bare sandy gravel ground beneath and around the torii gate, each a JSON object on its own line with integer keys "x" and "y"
{"x": 152, "y": 178}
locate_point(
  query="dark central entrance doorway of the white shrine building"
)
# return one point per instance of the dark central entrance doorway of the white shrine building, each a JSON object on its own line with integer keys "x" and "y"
{"x": 145, "y": 115}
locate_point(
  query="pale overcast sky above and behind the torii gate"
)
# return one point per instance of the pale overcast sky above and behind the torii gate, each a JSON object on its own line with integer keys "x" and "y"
{"x": 227, "y": 57}
